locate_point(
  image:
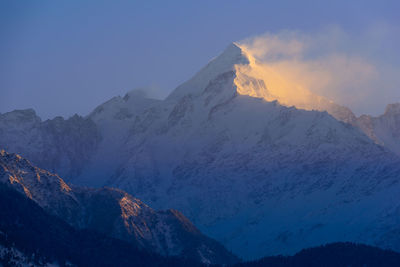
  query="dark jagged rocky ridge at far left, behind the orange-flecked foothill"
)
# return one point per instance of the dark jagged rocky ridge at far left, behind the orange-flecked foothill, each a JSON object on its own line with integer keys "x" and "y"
{"x": 59, "y": 145}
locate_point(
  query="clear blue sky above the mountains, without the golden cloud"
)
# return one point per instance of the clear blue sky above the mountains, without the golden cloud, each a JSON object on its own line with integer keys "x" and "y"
{"x": 62, "y": 57}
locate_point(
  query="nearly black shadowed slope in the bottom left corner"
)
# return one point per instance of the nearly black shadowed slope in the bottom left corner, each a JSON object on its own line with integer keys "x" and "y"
{"x": 32, "y": 237}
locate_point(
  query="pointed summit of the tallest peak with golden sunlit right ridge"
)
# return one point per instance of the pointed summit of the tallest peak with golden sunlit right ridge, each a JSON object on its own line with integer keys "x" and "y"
{"x": 256, "y": 79}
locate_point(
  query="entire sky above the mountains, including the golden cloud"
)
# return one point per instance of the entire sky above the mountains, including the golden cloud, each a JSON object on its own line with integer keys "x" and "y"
{"x": 67, "y": 57}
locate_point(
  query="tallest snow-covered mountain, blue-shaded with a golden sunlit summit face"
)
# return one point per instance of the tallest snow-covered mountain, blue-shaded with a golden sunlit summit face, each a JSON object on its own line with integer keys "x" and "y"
{"x": 260, "y": 165}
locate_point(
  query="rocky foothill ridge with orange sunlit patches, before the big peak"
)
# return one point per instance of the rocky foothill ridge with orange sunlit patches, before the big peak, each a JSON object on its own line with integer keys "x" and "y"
{"x": 111, "y": 212}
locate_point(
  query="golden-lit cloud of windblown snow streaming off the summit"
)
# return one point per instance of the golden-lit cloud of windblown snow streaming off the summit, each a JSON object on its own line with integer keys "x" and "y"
{"x": 359, "y": 71}
